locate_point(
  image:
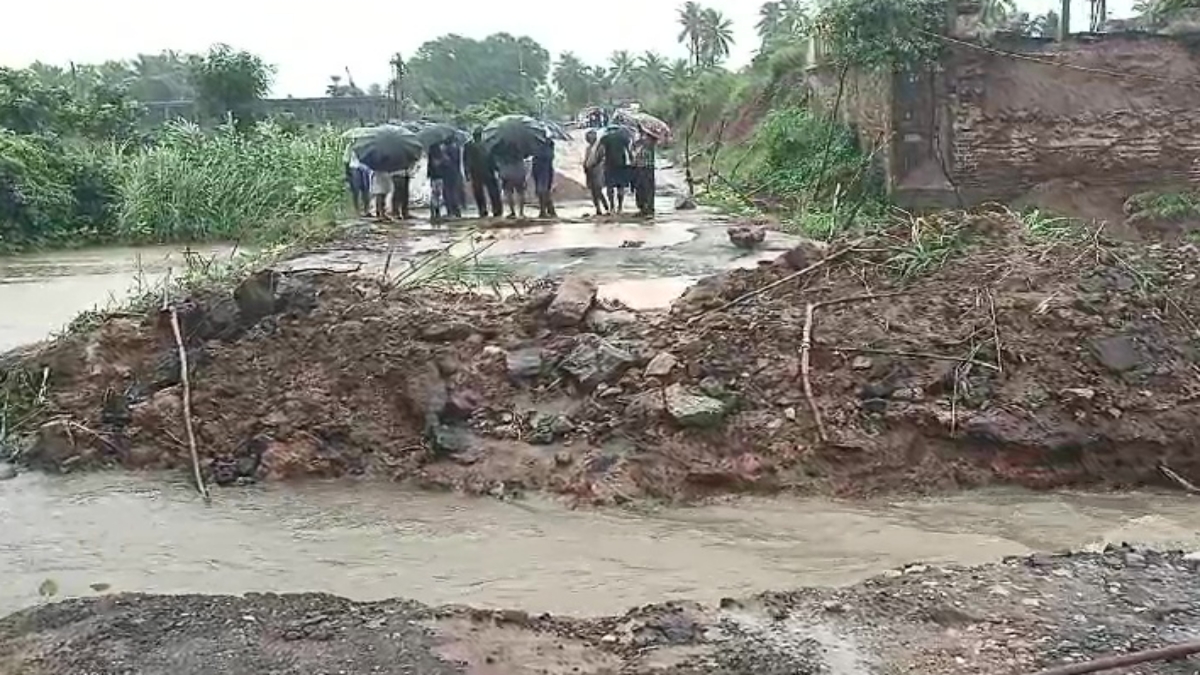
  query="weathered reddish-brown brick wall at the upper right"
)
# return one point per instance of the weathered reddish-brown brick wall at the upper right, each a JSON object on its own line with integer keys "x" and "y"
{"x": 1015, "y": 124}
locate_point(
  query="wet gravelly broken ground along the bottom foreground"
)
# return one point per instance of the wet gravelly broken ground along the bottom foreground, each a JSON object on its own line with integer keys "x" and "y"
{"x": 1017, "y": 617}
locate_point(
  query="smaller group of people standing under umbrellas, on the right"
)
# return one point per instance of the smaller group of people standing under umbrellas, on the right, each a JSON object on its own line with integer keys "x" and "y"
{"x": 616, "y": 163}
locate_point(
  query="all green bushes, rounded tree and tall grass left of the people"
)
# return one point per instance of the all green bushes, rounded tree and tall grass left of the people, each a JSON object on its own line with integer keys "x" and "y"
{"x": 75, "y": 169}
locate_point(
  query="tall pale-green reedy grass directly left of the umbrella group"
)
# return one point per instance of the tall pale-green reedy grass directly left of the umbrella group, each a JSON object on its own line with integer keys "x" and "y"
{"x": 193, "y": 184}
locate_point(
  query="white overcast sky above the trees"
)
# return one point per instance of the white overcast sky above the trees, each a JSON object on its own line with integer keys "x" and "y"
{"x": 310, "y": 41}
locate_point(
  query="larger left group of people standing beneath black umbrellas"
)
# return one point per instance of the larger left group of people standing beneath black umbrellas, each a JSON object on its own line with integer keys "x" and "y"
{"x": 451, "y": 165}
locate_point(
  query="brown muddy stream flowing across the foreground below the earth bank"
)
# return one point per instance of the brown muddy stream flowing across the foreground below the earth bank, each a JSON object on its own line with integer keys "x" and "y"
{"x": 376, "y": 541}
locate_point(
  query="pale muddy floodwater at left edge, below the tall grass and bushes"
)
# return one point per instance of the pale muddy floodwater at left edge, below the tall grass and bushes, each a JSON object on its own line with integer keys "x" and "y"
{"x": 51, "y": 289}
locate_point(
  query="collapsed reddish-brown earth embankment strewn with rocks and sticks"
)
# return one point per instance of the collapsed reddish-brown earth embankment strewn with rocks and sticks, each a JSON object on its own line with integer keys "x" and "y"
{"x": 969, "y": 354}
